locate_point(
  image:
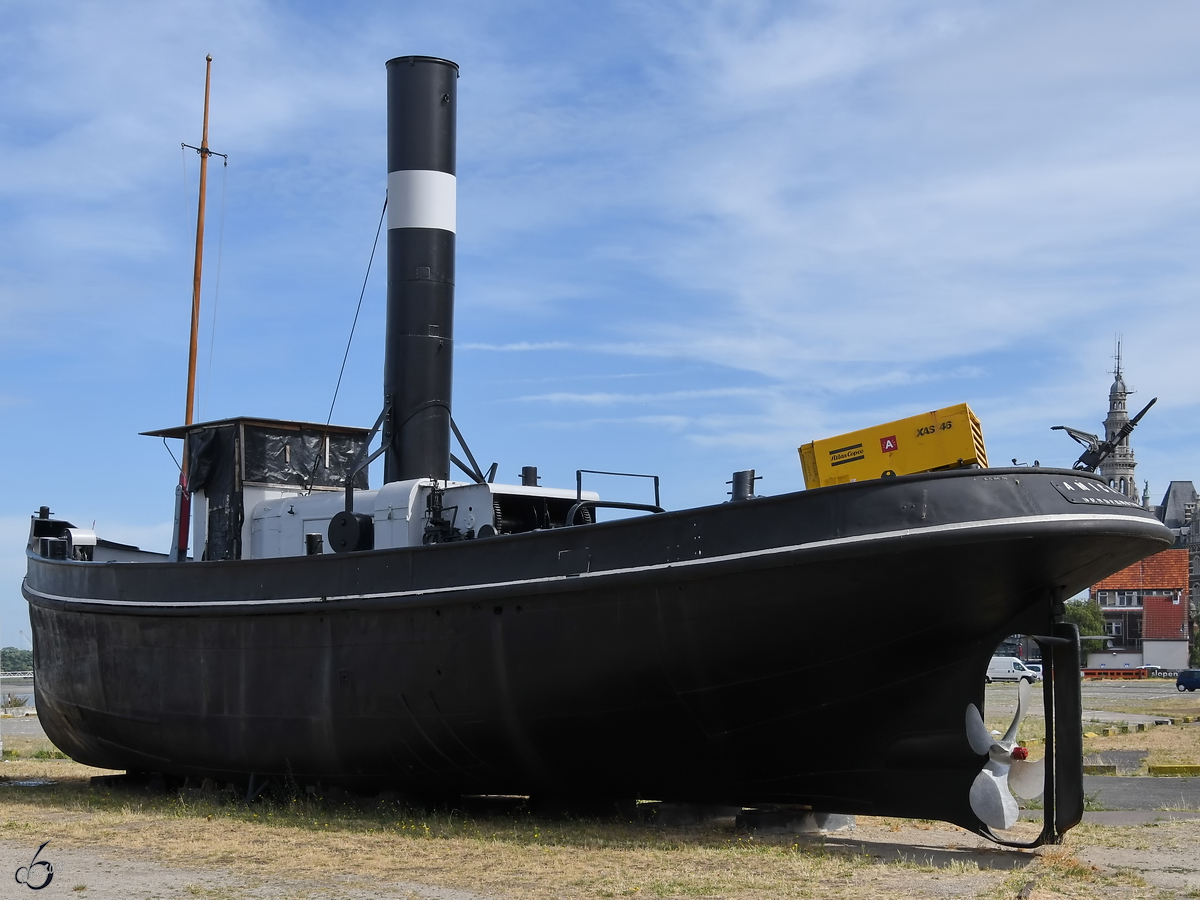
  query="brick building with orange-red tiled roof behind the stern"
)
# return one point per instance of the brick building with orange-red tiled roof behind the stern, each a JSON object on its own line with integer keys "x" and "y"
{"x": 1145, "y": 613}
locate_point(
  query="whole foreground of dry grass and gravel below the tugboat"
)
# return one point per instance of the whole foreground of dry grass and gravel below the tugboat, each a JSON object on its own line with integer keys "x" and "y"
{"x": 117, "y": 843}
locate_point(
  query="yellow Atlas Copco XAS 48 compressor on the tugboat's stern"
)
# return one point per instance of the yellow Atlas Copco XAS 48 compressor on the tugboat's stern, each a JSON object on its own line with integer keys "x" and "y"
{"x": 949, "y": 439}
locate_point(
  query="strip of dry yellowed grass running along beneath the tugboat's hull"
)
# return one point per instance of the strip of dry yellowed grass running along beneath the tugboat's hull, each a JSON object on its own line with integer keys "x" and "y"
{"x": 337, "y": 838}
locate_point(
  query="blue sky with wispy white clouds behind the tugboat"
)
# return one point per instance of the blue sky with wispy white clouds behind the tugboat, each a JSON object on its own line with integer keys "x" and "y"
{"x": 692, "y": 237}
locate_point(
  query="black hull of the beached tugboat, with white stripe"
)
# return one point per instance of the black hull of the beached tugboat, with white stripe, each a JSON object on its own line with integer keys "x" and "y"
{"x": 817, "y": 649}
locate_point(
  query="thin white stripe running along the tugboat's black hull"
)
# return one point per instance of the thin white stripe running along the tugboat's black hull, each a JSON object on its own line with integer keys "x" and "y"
{"x": 607, "y": 573}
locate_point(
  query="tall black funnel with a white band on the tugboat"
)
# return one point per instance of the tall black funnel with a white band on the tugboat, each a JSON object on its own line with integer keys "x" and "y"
{"x": 423, "y": 99}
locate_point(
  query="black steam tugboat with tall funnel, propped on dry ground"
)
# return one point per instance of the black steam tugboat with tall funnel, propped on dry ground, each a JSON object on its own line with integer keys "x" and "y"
{"x": 447, "y": 638}
